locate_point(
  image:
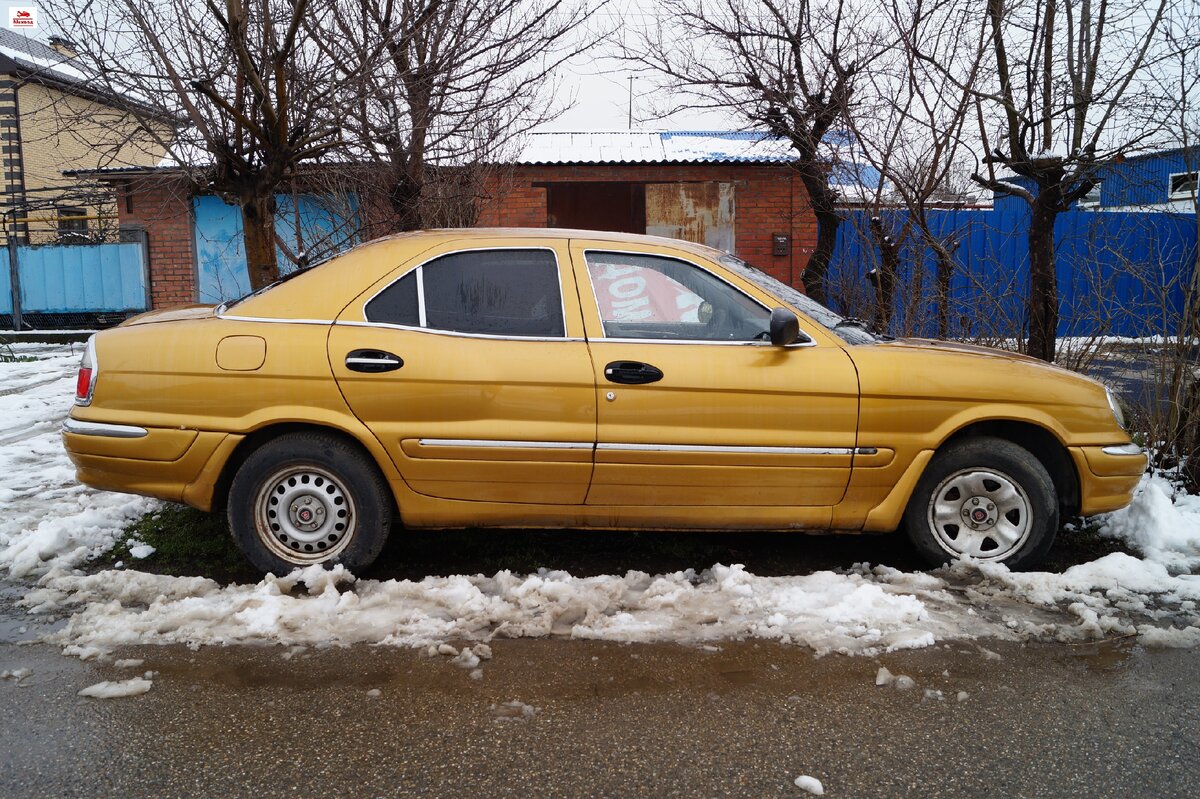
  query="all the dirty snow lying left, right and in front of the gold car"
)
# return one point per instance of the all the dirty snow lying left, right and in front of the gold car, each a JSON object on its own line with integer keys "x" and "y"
{"x": 51, "y": 526}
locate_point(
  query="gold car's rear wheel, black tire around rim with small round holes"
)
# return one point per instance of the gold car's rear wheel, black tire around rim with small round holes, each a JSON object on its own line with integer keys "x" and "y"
{"x": 308, "y": 498}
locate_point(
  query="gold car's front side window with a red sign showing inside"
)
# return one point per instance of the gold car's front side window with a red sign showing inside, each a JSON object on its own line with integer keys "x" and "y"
{"x": 651, "y": 297}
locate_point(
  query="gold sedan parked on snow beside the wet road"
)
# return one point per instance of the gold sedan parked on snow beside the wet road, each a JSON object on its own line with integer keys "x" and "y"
{"x": 581, "y": 380}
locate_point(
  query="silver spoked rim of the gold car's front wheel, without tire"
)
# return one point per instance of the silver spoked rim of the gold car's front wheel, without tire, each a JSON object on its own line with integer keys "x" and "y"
{"x": 981, "y": 514}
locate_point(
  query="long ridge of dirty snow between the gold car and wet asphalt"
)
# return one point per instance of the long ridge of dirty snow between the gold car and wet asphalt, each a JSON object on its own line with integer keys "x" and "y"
{"x": 866, "y": 611}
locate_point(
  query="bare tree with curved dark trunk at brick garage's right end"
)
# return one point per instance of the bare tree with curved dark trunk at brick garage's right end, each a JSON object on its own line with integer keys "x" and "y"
{"x": 789, "y": 68}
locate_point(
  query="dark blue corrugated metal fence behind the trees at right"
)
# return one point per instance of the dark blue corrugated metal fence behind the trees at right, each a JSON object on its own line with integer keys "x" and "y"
{"x": 1119, "y": 274}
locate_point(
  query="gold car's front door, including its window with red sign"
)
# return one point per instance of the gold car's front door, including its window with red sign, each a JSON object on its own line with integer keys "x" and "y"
{"x": 695, "y": 406}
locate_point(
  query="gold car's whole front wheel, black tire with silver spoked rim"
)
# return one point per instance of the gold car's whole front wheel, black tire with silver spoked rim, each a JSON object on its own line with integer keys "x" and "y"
{"x": 993, "y": 484}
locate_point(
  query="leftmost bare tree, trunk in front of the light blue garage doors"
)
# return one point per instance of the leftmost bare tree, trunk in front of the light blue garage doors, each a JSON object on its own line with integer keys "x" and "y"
{"x": 243, "y": 83}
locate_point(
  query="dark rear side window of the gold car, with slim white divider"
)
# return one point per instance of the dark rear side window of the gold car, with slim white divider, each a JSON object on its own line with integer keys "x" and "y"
{"x": 488, "y": 292}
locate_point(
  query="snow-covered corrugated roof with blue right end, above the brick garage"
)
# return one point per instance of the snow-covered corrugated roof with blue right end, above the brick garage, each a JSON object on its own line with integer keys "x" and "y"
{"x": 653, "y": 147}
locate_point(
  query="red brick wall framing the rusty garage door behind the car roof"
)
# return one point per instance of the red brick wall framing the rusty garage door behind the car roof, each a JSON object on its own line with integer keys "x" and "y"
{"x": 769, "y": 200}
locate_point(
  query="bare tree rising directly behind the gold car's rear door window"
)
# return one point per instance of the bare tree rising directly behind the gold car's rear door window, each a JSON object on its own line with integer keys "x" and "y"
{"x": 443, "y": 91}
